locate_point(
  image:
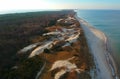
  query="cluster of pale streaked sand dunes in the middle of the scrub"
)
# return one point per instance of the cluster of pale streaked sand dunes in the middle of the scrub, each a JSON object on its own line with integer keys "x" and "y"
{"x": 66, "y": 32}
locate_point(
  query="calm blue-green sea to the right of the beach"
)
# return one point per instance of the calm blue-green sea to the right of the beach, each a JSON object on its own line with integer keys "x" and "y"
{"x": 107, "y": 21}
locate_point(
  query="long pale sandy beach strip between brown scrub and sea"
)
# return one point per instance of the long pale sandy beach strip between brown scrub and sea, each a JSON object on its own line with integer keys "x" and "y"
{"x": 97, "y": 41}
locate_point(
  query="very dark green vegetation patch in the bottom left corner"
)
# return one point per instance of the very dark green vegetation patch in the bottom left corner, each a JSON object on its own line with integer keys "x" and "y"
{"x": 27, "y": 69}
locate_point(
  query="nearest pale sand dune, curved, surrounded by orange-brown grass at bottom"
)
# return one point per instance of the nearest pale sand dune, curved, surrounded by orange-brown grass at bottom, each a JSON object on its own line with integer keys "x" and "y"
{"x": 68, "y": 67}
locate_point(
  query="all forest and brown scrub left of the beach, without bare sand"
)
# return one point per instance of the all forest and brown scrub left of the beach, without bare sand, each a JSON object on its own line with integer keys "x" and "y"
{"x": 20, "y": 30}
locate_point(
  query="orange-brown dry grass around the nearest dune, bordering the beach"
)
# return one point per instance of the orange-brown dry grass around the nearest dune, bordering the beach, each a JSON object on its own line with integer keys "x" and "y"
{"x": 79, "y": 49}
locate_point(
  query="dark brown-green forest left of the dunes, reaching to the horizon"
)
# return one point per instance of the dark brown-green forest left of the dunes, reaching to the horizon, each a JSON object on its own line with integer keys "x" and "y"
{"x": 19, "y": 30}
